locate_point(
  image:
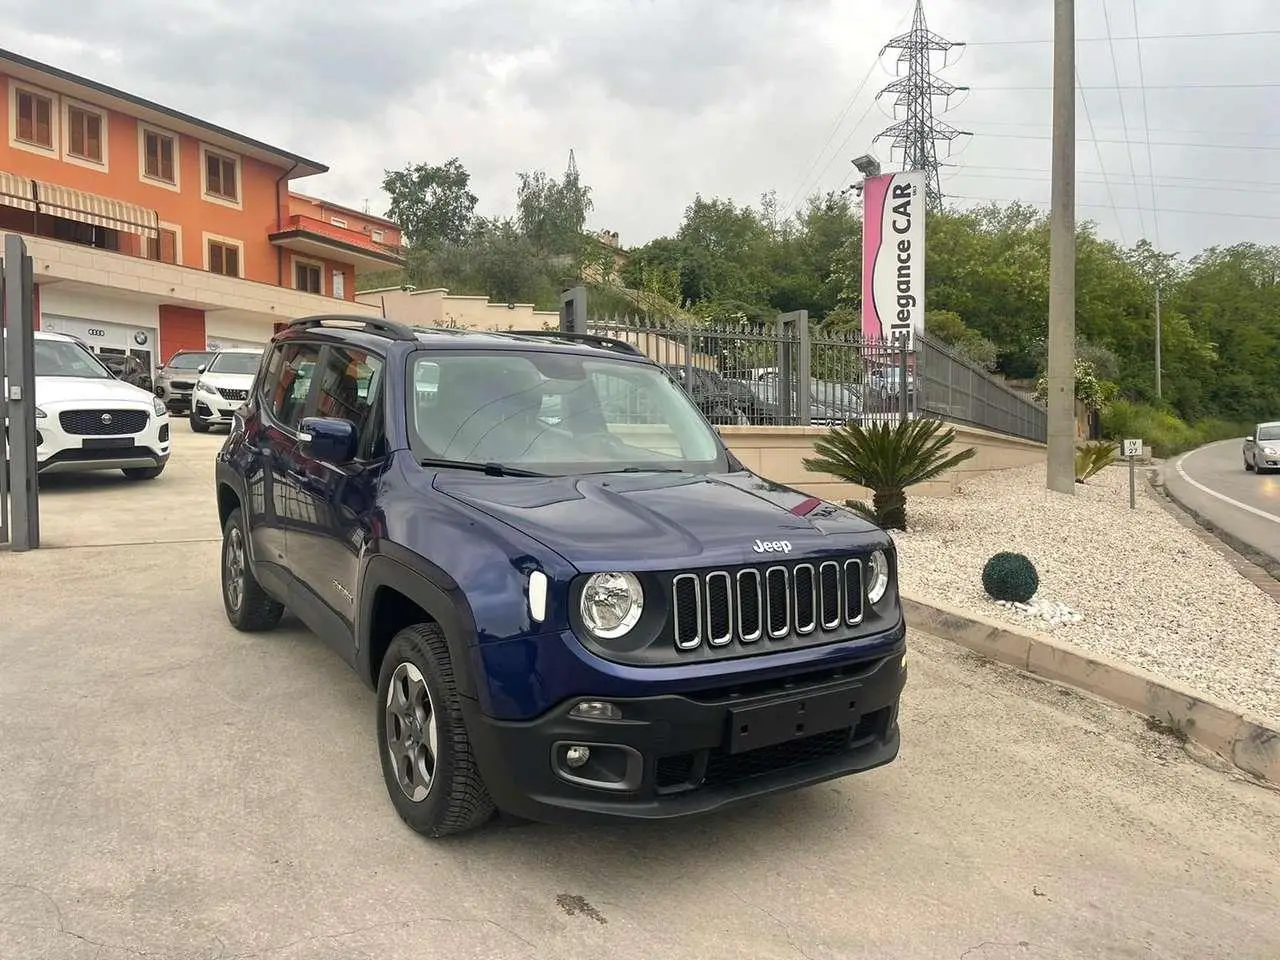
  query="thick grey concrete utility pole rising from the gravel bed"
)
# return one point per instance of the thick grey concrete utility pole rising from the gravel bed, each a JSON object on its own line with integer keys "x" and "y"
{"x": 1062, "y": 259}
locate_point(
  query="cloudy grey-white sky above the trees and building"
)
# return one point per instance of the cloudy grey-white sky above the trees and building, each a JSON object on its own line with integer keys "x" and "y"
{"x": 664, "y": 99}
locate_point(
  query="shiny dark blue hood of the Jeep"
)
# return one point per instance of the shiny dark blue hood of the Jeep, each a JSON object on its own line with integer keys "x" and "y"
{"x": 664, "y": 522}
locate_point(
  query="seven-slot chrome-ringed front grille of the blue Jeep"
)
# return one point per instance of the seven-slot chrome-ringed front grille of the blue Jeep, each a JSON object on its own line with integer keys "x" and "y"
{"x": 774, "y": 602}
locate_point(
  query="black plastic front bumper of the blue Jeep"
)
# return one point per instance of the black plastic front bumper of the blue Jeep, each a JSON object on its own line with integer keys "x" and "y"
{"x": 676, "y": 756}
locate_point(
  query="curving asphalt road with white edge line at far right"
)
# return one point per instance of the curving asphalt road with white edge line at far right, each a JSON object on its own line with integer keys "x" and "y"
{"x": 1213, "y": 482}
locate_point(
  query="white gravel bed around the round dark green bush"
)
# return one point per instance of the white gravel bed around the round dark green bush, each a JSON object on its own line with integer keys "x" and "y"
{"x": 1132, "y": 584}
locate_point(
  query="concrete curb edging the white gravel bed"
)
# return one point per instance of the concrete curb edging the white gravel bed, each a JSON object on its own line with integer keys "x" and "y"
{"x": 1238, "y": 738}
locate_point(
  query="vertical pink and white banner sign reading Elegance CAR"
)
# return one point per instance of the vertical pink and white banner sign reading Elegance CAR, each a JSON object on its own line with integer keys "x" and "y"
{"x": 894, "y": 257}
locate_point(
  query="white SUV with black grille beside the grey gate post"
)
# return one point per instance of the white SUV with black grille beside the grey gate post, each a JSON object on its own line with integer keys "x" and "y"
{"x": 89, "y": 420}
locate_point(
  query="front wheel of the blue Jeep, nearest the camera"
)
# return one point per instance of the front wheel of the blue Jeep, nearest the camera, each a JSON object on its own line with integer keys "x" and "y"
{"x": 455, "y": 798}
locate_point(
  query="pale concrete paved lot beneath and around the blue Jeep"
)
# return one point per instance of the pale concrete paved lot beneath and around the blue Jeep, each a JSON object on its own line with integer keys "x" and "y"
{"x": 173, "y": 789}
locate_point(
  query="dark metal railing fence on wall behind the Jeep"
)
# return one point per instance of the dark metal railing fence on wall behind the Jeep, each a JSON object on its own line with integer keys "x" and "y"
{"x": 785, "y": 373}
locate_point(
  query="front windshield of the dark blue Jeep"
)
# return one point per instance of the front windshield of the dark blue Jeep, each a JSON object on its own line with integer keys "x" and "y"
{"x": 555, "y": 414}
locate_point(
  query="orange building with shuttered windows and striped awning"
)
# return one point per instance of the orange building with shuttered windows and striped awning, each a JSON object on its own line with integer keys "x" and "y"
{"x": 153, "y": 231}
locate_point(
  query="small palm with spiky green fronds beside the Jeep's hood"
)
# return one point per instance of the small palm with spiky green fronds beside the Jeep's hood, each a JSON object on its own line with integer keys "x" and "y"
{"x": 886, "y": 459}
